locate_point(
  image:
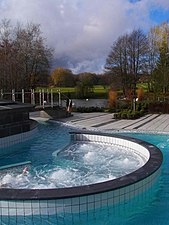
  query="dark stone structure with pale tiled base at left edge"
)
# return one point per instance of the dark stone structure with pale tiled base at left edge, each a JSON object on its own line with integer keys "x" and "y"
{"x": 15, "y": 125}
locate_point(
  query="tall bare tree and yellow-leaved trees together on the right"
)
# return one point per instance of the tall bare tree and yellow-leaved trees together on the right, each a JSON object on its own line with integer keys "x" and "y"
{"x": 135, "y": 55}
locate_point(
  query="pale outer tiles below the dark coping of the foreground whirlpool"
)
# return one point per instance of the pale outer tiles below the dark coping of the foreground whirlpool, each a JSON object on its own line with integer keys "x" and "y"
{"x": 77, "y": 204}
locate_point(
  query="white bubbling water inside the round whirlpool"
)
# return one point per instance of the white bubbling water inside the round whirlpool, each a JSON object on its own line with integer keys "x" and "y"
{"x": 77, "y": 165}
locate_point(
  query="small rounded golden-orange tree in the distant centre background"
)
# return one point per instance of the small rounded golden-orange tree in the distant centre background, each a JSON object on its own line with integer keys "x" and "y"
{"x": 62, "y": 77}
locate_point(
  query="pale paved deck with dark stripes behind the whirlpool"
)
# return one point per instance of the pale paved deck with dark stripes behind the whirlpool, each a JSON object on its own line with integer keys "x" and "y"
{"x": 106, "y": 121}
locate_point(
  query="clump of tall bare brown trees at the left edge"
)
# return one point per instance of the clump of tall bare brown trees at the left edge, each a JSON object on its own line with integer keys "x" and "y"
{"x": 24, "y": 57}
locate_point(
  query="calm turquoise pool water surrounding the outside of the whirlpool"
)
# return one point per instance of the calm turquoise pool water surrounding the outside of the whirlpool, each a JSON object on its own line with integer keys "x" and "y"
{"x": 153, "y": 211}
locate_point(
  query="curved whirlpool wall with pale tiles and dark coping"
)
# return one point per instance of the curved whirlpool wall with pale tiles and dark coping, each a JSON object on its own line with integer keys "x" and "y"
{"x": 77, "y": 200}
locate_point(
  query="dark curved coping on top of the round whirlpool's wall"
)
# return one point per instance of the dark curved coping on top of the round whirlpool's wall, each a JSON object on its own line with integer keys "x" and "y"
{"x": 148, "y": 169}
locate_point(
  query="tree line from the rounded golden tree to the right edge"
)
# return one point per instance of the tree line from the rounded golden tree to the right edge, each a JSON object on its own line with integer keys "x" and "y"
{"x": 134, "y": 57}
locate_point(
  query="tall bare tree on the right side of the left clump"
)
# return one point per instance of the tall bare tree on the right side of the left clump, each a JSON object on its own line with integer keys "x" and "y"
{"x": 33, "y": 57}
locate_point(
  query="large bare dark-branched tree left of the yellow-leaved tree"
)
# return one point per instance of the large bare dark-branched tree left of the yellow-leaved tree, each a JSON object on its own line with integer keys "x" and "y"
{"x": 128, "y": 58}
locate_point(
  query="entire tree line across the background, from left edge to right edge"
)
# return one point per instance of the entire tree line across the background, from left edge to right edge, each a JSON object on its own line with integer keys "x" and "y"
{"x": 25, "y": 61}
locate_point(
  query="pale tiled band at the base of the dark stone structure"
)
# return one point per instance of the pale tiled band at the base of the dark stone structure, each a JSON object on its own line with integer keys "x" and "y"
{"x": 18, "y": 138}
